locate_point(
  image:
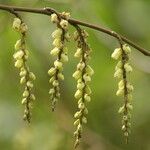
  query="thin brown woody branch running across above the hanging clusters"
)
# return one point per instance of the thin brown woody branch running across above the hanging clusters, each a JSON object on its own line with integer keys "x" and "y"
{"x": 48, "y": 11}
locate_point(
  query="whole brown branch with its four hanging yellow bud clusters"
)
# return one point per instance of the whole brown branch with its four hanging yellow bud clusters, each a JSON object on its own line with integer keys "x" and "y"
{"x": 83, "y": 71}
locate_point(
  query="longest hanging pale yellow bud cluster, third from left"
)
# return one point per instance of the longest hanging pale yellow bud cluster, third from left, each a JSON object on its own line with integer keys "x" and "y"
{"x": 83, "y": 76}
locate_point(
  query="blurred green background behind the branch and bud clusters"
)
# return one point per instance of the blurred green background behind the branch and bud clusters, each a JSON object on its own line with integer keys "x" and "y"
{"x": 54, "y": 131}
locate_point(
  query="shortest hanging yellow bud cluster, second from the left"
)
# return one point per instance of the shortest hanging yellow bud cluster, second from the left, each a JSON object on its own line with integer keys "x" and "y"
{"x": 60, "y": 35}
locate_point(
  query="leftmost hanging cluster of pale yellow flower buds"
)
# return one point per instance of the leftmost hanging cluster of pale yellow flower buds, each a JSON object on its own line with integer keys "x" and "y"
{"x": 26, "y": 77}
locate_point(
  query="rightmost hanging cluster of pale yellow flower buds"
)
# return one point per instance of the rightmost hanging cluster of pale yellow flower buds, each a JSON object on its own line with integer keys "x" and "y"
{"x": 123, "y": 68}
